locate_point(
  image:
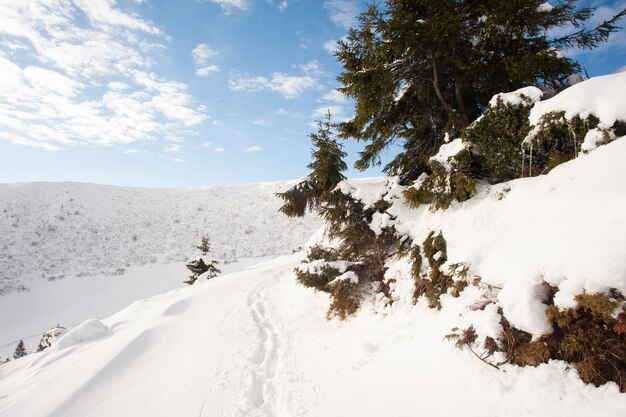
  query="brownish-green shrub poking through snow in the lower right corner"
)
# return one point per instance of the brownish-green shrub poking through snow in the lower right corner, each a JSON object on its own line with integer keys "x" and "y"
{"x": 589, "y": 336}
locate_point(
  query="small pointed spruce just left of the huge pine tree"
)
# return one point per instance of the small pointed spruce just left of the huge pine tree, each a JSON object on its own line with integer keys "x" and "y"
{"x": 326, "y": 172}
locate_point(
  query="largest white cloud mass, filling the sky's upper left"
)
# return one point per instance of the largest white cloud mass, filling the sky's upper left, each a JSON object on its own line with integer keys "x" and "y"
{"x": 87, "y": 78}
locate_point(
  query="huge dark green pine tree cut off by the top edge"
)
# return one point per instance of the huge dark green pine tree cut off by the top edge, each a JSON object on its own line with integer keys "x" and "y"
{"x": 421, "y": 70}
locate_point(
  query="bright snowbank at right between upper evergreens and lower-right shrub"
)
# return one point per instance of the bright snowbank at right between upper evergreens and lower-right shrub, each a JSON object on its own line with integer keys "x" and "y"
{"x": 564, "y": 228}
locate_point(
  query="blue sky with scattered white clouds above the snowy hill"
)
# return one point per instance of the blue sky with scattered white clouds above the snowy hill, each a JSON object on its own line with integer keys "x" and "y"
{"x": 178, "y": 93}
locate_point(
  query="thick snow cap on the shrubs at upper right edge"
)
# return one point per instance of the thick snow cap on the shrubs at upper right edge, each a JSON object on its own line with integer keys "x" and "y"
{"x": 603, "y": 97}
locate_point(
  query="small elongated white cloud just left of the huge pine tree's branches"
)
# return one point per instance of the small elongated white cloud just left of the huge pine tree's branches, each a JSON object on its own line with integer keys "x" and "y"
{"x": 289, "y": 86}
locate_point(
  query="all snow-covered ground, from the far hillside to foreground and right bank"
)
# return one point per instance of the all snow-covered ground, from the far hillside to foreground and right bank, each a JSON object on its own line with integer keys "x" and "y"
{"x": 253, "y": 343}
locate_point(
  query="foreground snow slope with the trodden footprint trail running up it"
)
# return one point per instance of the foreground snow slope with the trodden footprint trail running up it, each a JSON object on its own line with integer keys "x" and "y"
{"x": 254, "y": 344}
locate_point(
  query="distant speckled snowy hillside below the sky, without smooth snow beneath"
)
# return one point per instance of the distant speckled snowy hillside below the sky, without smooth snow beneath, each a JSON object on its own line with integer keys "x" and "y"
{"x": 52, "y": 230}
